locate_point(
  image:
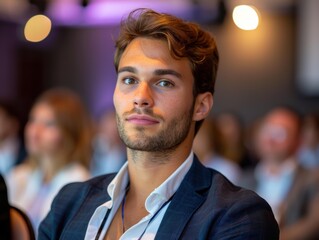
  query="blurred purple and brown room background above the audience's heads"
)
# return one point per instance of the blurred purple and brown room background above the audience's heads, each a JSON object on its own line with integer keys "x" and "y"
{"x": 275, "y": 64}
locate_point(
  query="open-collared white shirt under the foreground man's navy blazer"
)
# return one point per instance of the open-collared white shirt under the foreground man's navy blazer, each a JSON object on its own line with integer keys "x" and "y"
{"x": 153, "y": 203}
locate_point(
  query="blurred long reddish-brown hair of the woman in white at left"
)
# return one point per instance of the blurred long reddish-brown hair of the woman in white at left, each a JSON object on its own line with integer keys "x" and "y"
{"x": 74, "y": 122}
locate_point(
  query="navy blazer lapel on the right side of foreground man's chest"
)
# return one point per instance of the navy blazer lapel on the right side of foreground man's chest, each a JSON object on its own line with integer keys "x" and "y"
{"x": 188, "y": 198}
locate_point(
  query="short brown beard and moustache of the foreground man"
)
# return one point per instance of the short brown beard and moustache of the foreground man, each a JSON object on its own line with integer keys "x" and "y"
{"x": 166, "y": 140}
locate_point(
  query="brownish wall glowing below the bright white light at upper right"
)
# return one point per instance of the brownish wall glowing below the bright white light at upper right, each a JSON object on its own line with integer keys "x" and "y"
{"x": 257, "y": 68}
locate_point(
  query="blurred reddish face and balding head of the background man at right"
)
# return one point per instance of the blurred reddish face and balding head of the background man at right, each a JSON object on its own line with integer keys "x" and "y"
{"x": 278, "y": 137}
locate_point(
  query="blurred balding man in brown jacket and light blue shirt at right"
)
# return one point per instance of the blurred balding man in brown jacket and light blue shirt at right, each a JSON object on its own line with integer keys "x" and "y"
{"x": 291, "y": 190}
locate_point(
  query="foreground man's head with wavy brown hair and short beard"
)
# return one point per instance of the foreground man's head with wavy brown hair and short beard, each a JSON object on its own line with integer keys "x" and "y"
{"x": 166, "y": 72}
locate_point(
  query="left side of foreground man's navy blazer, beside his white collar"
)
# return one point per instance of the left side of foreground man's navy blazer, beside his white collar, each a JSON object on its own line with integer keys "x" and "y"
{"x": 76, "y": 203}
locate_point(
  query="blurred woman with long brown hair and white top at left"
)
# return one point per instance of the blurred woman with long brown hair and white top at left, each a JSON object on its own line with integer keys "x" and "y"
{"x": 58, "y": 142}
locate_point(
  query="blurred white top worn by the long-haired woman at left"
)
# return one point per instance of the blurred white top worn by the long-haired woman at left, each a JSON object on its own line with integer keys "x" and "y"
{"x": 27, "y": 191}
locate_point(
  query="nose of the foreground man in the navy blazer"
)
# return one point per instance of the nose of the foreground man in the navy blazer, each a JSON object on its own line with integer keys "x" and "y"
{"x": 143, "y": 97}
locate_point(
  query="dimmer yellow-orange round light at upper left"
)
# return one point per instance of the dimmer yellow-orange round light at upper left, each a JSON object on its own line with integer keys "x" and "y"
{"x": 37, "y": 28}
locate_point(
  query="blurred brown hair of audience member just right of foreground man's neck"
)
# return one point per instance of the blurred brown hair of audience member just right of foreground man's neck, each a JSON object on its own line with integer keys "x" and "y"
{"x": 233, "y": 139}
